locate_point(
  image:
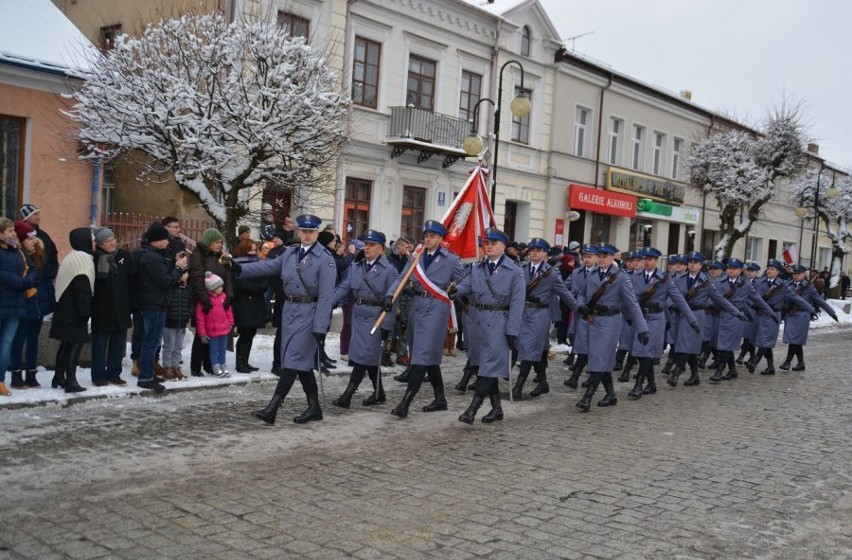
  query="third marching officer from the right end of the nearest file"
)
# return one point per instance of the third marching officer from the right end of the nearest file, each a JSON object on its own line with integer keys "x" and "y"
{"x": 737, "y": 289}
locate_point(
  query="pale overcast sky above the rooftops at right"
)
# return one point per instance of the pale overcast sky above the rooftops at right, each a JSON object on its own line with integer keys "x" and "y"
{"x": 738, "y": 57}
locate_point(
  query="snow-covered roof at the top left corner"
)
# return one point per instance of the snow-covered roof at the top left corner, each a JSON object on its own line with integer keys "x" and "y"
{"x": 36, "y": 34}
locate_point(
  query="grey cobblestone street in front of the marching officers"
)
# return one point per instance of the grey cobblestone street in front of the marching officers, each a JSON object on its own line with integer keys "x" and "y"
{"x": 758, "y": 467}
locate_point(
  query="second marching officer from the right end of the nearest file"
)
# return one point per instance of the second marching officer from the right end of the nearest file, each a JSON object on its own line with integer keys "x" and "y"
{"x": 775, "y": 292}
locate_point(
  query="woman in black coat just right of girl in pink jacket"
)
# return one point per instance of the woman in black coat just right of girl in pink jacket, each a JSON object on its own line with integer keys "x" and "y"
{"x": 249, "y": 306}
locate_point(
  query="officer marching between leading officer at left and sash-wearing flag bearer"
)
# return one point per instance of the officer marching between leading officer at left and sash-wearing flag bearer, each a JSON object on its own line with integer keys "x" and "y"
{"x": 367, "y": 282}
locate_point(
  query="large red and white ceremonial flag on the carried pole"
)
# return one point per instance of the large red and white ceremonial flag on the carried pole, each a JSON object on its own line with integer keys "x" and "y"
{"x": 468, "y": 216}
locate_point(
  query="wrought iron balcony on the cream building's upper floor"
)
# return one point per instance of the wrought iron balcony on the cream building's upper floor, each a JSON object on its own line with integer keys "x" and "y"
{"x": 427, "y": 132}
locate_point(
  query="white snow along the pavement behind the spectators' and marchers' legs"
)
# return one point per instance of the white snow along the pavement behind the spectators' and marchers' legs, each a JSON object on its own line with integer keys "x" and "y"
{"x": 261, "y": 356}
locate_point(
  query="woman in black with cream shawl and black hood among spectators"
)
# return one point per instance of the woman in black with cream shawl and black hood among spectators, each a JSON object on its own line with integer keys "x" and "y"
{"x": 75, "y": 283}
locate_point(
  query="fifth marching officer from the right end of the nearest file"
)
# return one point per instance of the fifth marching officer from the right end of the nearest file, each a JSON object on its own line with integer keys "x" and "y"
{"x": 655, "y": 292}
